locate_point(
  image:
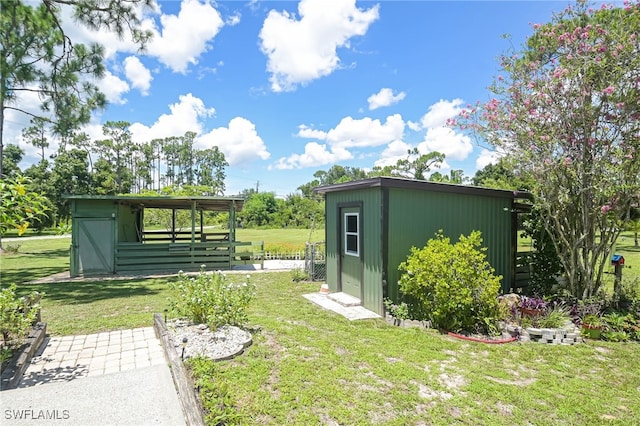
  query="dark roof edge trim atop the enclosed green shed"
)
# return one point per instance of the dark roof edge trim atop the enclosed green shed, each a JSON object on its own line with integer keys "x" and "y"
{"x": 393, "y": 182}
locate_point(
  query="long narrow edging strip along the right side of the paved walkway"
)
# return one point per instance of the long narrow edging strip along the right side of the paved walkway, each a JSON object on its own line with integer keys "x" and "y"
{"x": 186, "y": 391}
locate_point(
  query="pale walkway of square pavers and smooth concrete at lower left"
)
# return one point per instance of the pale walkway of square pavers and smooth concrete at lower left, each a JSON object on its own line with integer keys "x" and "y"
{"x": 116, "y": 378}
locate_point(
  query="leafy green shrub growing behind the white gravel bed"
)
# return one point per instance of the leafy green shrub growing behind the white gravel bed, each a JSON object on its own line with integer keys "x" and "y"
{"x": 209, "y": 298}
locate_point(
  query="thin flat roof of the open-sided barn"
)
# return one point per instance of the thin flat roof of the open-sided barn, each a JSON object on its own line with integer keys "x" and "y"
{"x": 169, "y": 202}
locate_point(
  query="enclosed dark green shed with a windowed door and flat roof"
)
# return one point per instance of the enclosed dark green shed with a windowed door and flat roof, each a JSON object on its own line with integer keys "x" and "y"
{"x": 372, "y": 224}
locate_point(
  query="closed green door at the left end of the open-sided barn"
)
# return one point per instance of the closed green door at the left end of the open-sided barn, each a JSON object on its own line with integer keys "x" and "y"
{"x": 95, "y": 246}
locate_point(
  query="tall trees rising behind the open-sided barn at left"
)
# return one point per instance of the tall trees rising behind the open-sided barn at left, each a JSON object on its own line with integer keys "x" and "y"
{"x": 115, "y": 165}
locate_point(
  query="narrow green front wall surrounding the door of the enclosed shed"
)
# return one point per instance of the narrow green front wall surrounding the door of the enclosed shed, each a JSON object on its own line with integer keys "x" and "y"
{"x": 371, "y": 242}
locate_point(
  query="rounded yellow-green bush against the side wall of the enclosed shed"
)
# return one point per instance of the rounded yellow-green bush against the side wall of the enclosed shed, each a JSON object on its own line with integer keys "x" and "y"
{"x": 453, "y": 284}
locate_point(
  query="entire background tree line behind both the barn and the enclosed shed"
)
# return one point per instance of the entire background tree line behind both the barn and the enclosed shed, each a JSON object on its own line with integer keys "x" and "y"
{"x": 173, "y": 166}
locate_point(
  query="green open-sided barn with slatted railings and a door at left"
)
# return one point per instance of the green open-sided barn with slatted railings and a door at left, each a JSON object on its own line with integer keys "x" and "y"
{"x": 108, "y": 235}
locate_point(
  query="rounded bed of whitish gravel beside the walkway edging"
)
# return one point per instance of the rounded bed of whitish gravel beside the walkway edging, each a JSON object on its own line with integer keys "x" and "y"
{"x": 224, "y": 343}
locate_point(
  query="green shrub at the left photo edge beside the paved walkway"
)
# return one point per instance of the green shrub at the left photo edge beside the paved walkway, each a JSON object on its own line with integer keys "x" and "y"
{"x": 17, "y": 315}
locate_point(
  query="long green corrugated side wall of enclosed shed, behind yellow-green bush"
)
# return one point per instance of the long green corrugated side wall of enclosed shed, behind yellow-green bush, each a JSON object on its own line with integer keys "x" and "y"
{"x": 415, "y": 217}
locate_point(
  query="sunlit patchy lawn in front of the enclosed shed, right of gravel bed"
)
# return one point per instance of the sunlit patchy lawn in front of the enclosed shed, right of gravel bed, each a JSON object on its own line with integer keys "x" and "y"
{"x": 311, "y": 366}
